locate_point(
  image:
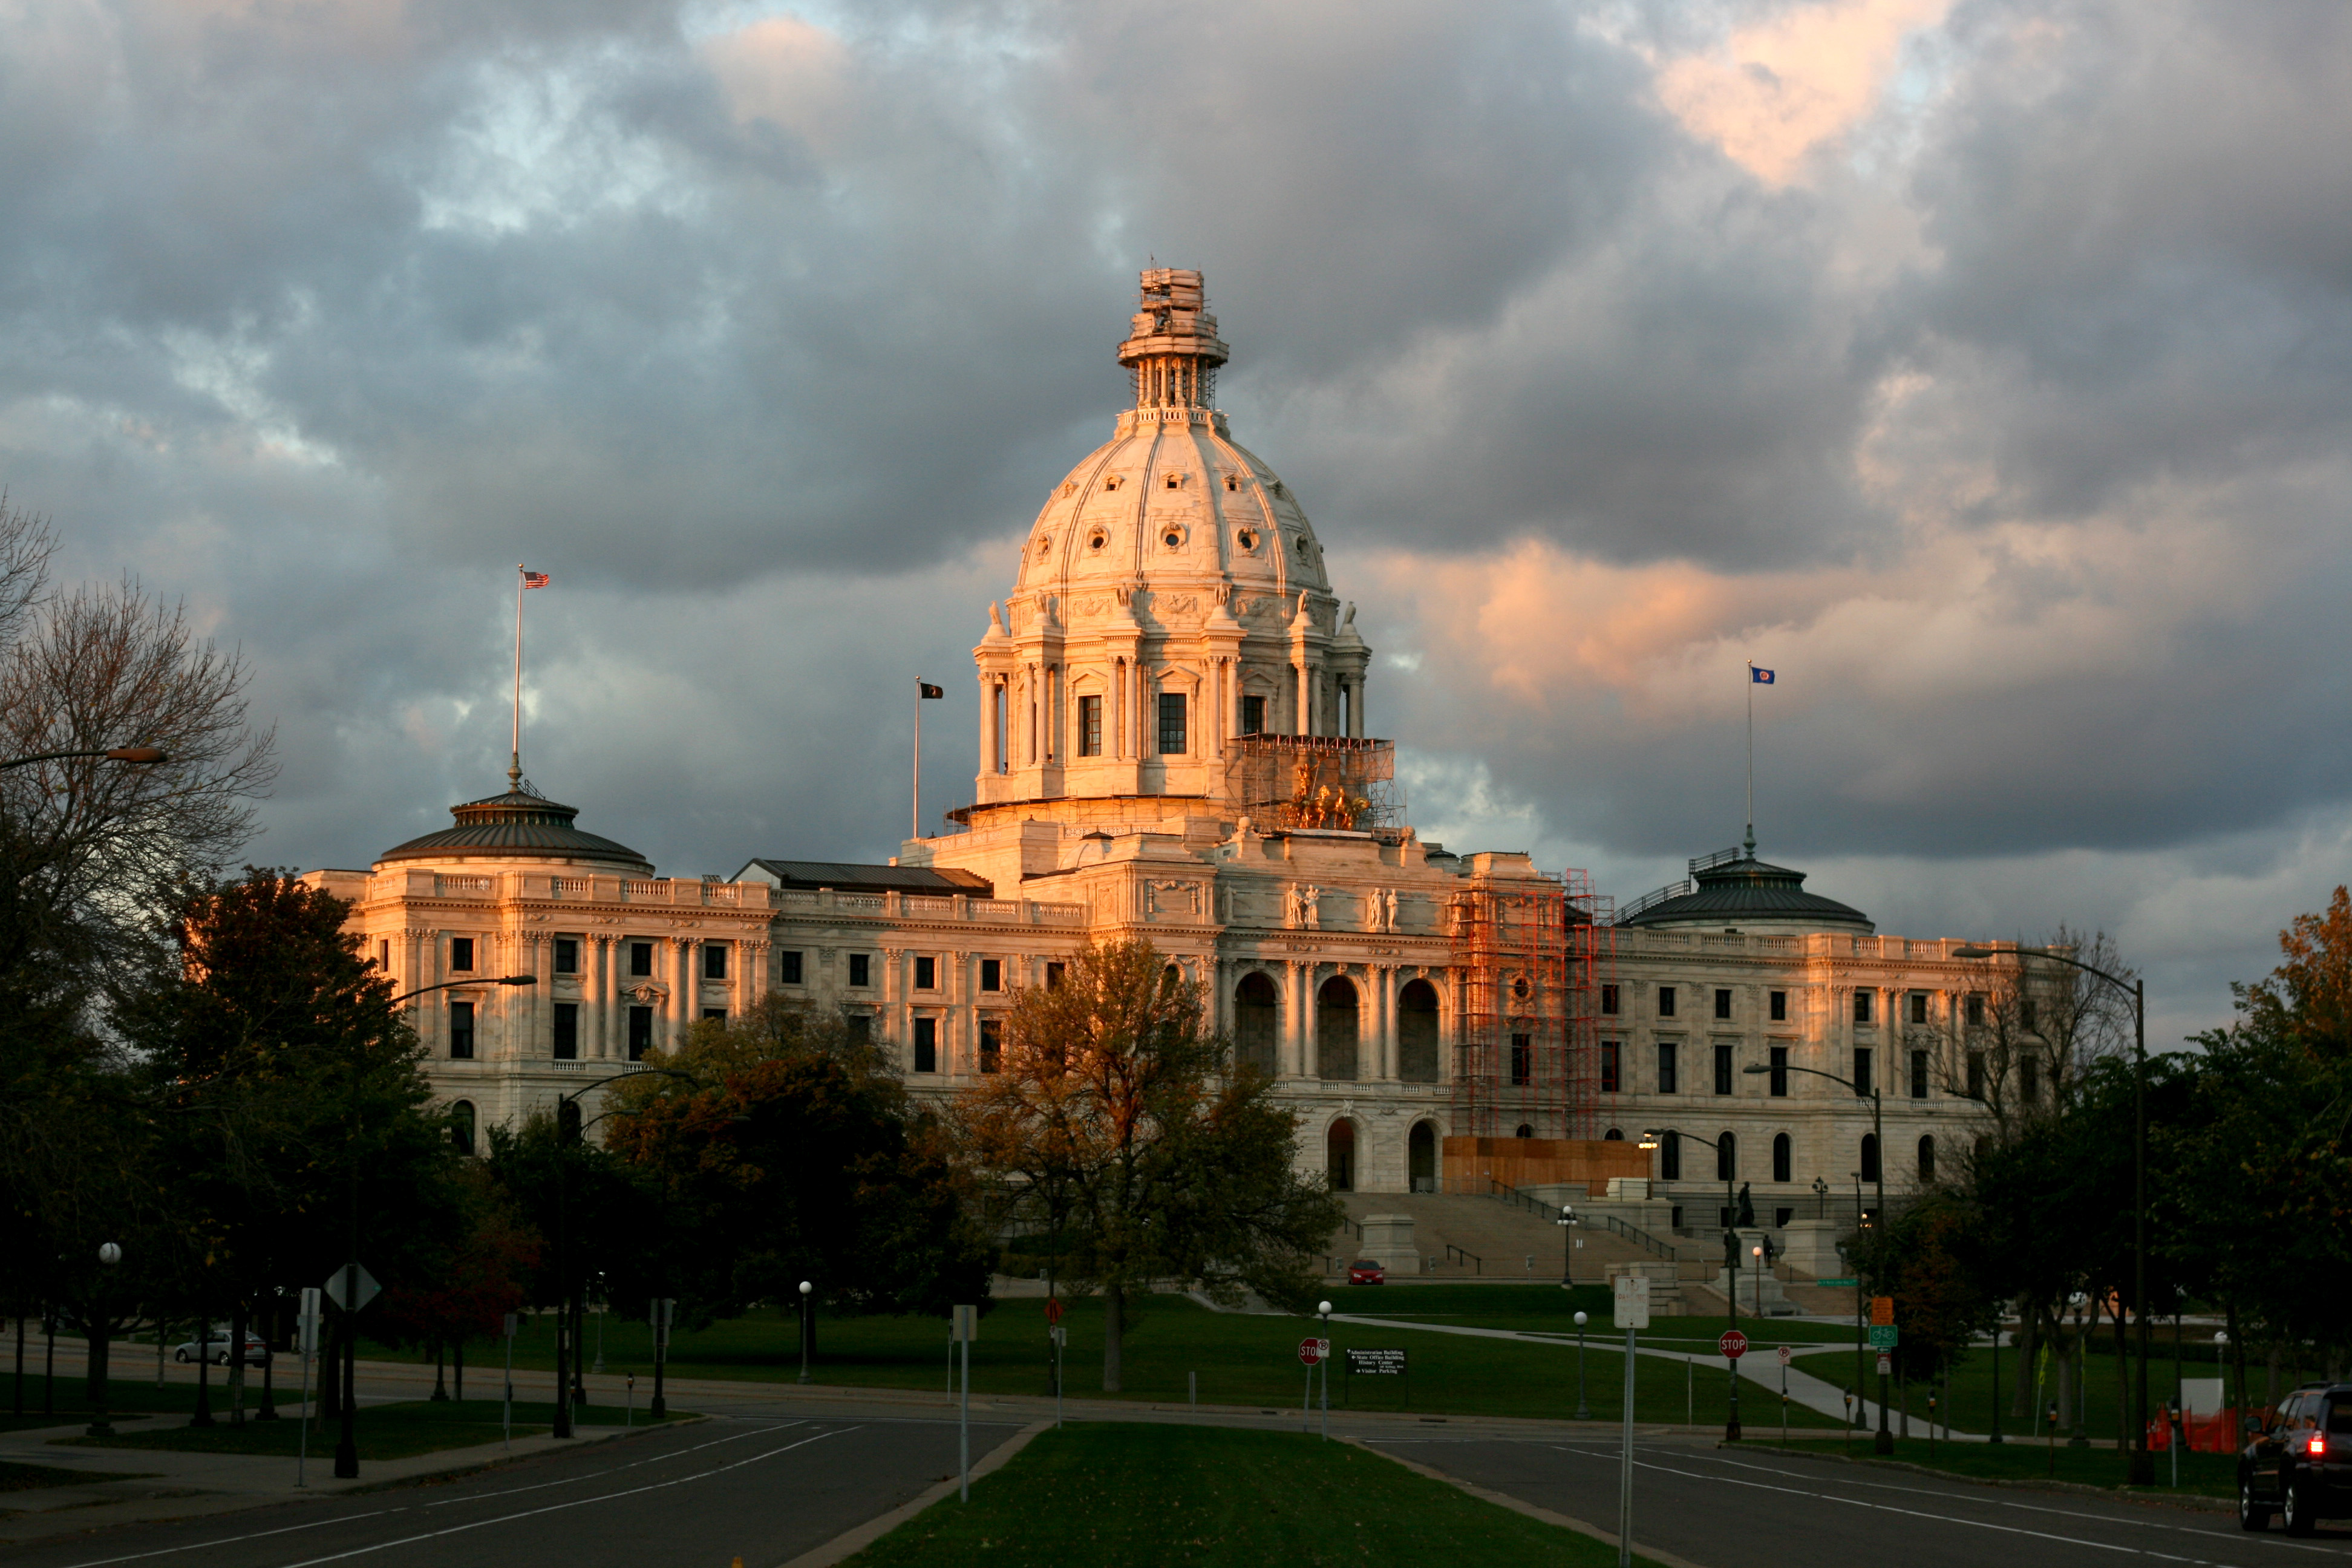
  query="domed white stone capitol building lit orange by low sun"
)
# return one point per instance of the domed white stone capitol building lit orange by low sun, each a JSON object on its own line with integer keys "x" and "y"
{"x": 1177, "y": 742}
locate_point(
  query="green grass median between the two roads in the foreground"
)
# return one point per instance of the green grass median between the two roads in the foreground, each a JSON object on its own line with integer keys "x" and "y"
{"x": 1205, "y": 1496}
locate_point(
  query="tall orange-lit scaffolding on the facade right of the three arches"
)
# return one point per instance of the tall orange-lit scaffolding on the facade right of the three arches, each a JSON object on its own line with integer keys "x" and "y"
{"x": 1532, "y": 963}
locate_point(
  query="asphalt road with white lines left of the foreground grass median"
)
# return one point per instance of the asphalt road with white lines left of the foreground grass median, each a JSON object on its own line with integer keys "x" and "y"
{"x": 754, "y": 1485}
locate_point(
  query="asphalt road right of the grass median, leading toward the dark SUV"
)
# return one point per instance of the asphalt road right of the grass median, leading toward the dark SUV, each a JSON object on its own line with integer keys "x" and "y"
{"x": 1768, "y": 1510}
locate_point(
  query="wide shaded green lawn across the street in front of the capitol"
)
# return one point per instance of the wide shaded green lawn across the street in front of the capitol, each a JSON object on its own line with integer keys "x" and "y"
{"x": 1238, "y": 1360}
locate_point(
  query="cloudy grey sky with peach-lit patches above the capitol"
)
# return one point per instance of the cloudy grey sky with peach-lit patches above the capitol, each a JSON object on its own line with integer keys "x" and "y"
{"x": 1982, "y": 368}
